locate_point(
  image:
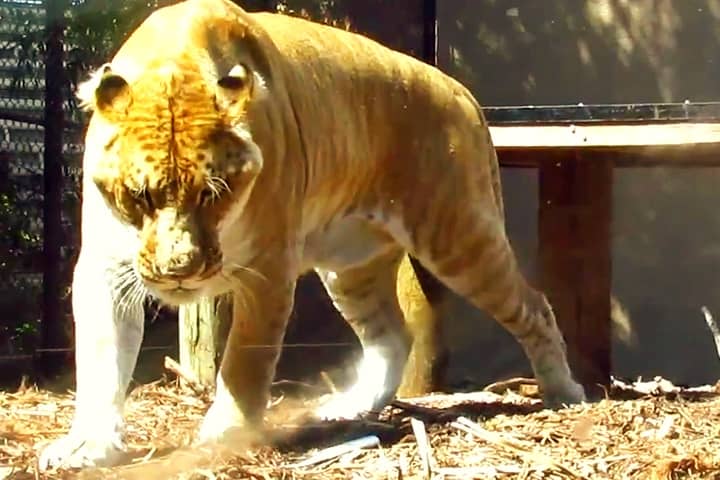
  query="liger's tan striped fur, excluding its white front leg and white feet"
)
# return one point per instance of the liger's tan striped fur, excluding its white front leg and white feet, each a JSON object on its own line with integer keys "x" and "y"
{"x": 344, "y": 135}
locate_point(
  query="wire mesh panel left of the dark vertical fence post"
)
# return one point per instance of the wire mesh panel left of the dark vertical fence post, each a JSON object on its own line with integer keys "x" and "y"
{"x": 21, "y": 149}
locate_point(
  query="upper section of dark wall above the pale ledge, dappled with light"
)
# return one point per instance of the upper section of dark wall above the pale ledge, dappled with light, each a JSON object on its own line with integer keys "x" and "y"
{"x": 519, "y": 52}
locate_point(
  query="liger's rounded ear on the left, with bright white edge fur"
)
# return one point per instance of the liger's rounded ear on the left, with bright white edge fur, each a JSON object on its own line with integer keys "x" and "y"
{"x": 105, "y": 92}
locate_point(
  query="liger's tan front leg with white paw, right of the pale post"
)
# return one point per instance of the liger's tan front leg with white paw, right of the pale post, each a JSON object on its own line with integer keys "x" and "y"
{"x": 261, "y": 308}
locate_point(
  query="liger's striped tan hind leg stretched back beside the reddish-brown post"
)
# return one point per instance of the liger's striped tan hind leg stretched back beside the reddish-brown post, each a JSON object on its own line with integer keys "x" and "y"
{"x": 469, "y": 251}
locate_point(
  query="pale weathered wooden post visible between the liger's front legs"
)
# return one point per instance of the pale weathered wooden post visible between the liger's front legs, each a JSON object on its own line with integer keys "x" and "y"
{"x": 202, "y": 334}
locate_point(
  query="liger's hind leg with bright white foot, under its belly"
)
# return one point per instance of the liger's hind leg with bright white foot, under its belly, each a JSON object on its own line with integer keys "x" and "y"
{"x": 366, "y": 298}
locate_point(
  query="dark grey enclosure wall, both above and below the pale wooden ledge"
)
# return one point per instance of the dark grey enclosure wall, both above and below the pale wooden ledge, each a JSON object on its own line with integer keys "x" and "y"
{"x": 666, "y": 229}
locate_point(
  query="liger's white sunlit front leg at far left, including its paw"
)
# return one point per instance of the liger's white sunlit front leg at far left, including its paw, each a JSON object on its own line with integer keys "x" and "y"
{"x": 108, "y": 334}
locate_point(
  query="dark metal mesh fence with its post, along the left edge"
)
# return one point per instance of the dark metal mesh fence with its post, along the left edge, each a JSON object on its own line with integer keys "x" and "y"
{"x": 26, "y": 49}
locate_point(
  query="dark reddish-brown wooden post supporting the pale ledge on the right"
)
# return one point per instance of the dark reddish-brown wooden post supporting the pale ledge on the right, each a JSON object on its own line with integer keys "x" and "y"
{"x": 575, "y": 258}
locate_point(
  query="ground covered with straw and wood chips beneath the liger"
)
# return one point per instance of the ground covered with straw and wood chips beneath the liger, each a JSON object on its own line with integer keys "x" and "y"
{"x": 644, "y": 430}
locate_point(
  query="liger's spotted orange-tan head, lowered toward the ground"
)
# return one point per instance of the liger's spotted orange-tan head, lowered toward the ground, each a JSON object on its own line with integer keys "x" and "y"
{"x": 177, "y": 163}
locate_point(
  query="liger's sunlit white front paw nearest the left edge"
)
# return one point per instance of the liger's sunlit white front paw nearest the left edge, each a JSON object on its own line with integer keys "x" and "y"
{"x": 79, "y": 451}
